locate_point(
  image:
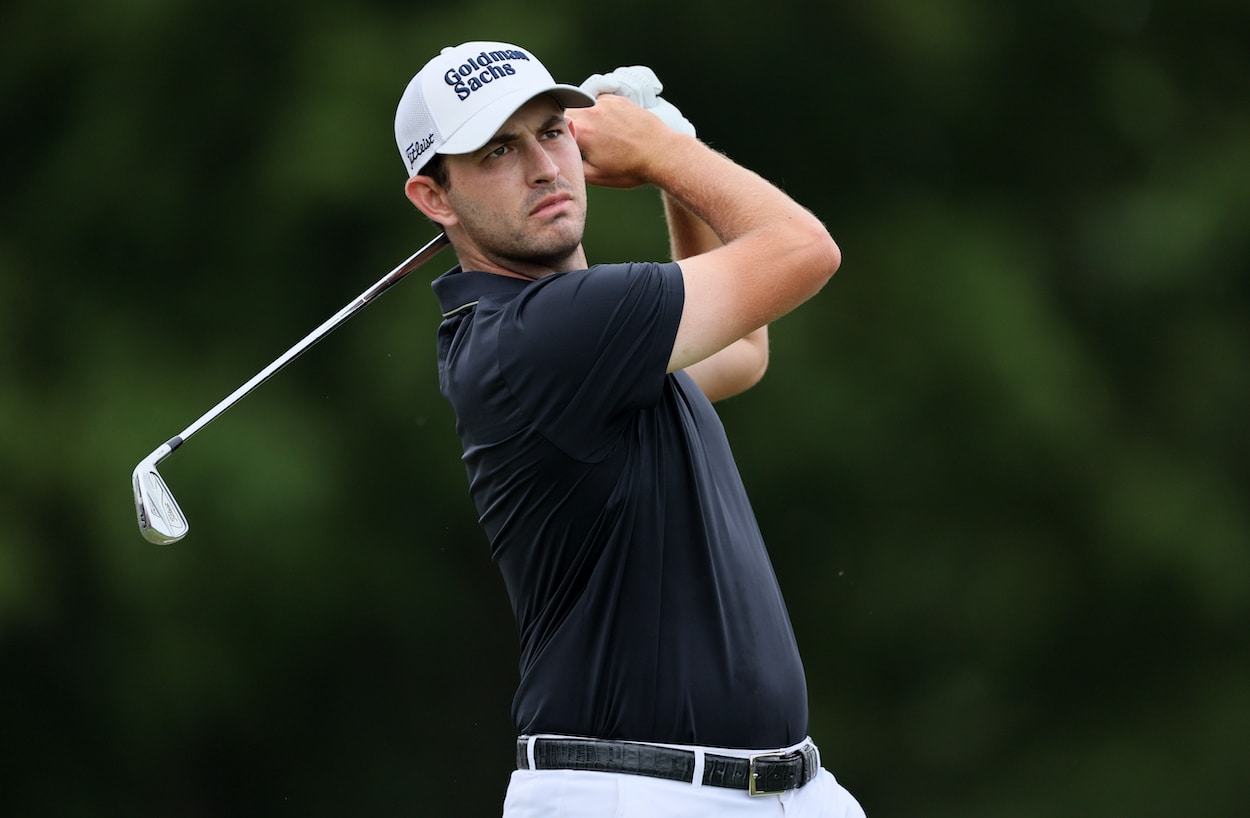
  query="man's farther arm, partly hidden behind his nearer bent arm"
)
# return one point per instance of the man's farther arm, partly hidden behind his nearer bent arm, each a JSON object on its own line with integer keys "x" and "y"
{"x": 742, "y": 365}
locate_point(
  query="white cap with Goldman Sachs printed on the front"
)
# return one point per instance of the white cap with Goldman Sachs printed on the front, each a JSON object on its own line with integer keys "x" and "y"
{"x": 462, "y": 98}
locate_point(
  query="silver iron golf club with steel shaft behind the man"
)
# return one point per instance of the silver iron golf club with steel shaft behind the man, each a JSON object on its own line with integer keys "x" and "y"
{"x": 161, "y": 520}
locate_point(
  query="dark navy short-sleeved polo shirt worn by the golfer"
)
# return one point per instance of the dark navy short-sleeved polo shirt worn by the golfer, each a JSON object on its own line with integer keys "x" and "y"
{"x": 644, "y": 597}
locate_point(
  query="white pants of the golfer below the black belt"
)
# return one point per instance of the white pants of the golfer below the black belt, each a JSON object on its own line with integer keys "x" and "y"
{"x": 564, "y": 794}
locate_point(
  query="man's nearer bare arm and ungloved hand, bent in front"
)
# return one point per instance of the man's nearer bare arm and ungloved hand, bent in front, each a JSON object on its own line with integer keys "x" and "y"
{"x": 776, "y": 255}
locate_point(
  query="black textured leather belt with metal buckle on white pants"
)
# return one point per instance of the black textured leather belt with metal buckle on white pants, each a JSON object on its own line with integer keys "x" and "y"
{"x": 761, "y": 775}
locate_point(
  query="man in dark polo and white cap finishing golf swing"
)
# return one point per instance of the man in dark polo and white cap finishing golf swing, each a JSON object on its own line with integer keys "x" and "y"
{"x": 659, "y": 670}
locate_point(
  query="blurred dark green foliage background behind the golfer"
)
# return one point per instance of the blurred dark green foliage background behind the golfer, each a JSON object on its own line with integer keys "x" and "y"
{"x": 1002, "y": 462}
